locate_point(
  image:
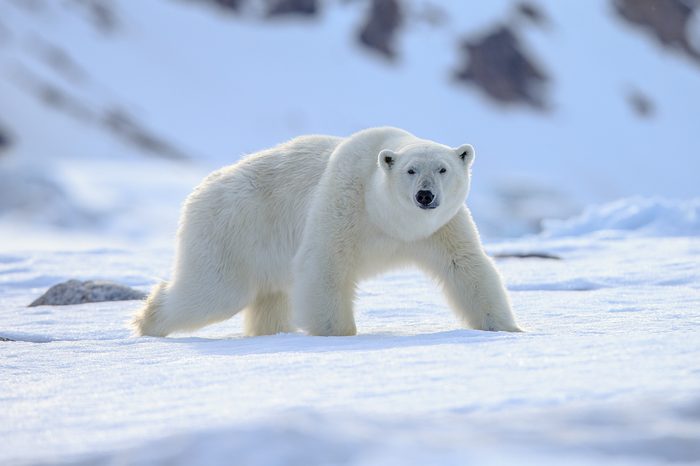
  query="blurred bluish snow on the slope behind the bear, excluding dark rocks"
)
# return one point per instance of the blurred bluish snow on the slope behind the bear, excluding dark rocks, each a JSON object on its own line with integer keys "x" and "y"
{"x": 194, "y": 82}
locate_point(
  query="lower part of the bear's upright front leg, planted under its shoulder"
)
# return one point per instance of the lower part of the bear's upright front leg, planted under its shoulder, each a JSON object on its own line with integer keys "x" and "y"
{"x": 323, "y": 292}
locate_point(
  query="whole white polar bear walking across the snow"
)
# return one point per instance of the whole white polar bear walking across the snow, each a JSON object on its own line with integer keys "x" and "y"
{"x": 286, "y": 234}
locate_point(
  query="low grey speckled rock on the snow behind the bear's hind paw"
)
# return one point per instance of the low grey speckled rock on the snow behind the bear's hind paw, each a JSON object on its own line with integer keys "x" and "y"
{"x": 77, "y": 292}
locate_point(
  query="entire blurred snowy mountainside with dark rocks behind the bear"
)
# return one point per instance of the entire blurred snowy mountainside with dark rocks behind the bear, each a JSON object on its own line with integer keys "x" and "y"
{"x": 112, "y": 111}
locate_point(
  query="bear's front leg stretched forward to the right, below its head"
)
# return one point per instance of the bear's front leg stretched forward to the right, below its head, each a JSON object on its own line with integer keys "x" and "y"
{"x": 471, "y": 282}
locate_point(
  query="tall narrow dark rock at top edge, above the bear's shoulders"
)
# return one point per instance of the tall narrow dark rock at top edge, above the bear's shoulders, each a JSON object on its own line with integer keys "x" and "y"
{"x": 380, "y": 27}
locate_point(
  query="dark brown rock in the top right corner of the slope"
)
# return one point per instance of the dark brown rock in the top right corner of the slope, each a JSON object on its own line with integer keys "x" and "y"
{"x": 667, "y": 20}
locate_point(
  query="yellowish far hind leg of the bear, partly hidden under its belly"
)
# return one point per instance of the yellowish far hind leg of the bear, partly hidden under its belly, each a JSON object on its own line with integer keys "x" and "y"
{"x": 268, "y": 314}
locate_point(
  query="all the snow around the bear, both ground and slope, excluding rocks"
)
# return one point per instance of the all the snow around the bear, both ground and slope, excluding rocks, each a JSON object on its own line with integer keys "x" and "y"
{"x": 606, "y": 373}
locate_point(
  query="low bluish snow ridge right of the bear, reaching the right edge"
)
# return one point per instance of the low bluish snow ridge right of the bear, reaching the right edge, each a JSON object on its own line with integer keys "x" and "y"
{"x": 643, "y": 216}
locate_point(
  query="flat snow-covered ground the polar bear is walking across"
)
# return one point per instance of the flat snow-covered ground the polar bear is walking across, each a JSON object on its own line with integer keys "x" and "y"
{"x": 608, "y": 371}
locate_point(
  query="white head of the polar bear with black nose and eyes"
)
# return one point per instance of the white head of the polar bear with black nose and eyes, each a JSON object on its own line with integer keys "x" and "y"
{"x": 426, "y": 184}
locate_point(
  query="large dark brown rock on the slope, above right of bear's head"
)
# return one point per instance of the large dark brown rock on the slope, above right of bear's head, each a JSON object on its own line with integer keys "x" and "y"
{"x": 497, "y": 64}
